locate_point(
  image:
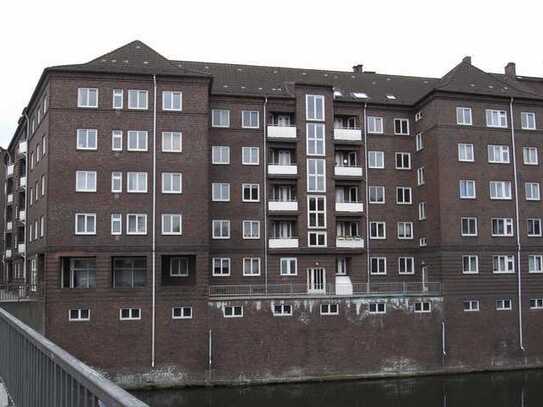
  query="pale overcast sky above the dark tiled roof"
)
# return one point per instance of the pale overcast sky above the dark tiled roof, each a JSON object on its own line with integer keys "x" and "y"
{"x": 425, "y": 38}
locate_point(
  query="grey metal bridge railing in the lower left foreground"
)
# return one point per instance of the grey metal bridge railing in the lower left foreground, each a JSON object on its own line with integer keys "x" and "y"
{"x": 37, "y": 372}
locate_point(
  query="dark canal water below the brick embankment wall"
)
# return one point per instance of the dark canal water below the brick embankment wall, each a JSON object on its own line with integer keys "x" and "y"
{"x": 511, "y": 389}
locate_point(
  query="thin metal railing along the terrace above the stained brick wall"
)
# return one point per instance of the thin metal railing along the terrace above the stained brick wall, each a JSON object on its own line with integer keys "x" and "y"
{"x": 340, "y": 290}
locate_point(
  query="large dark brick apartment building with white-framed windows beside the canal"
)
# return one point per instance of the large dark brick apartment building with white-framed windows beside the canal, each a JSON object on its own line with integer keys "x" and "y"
{"x": 190, "y": 222}
